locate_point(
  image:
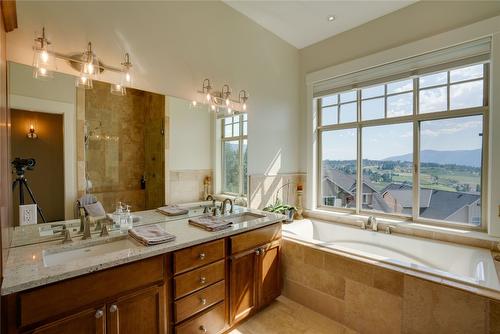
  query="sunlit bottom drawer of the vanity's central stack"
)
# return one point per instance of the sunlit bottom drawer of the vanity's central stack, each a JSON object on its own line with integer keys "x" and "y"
{"x": 211, "y": 322}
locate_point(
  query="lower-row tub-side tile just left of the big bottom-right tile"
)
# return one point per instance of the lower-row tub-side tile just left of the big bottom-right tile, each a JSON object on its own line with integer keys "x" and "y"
{"x": 370, "y": 310}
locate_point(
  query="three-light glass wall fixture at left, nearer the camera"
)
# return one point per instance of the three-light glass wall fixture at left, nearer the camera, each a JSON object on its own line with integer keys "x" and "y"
{"x": 86, "y": 63}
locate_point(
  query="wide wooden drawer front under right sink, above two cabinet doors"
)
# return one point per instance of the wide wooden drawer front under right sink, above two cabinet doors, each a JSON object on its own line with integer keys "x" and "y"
{"x": 255, "y": 238}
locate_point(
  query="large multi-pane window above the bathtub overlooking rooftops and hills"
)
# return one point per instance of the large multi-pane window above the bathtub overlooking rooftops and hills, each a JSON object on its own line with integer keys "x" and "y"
{"x": 418, "y": 144}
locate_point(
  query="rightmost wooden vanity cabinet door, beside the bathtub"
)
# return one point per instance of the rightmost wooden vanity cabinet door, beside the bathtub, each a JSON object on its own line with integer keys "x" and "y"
{"x": 269, "y": 280}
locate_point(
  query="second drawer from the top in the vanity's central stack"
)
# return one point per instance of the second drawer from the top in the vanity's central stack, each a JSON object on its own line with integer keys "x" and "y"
{"x": 199, "y": 278}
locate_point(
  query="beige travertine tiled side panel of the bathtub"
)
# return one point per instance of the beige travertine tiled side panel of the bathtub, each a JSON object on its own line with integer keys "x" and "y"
{"x": 369, "y": 298}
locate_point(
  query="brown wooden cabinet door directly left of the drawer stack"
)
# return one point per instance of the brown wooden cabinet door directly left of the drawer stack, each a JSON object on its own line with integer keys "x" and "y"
{"x": 138, "y": 312}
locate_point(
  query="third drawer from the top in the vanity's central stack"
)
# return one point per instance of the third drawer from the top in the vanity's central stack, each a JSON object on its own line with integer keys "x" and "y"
{"x": 198, "y": 301}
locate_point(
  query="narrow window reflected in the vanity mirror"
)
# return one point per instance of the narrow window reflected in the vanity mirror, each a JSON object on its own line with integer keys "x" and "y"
{"x": 234, "y": 154}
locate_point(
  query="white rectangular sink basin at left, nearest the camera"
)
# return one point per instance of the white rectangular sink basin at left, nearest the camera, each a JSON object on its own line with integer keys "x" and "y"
{"x": 68, "y": 255}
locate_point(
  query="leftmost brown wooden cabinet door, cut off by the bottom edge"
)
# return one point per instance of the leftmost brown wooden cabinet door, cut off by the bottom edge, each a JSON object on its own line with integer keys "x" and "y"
{"x": 88, "y": 321}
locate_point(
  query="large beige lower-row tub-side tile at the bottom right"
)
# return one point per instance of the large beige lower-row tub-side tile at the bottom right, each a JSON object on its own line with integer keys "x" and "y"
{"x": 435, "y": 308}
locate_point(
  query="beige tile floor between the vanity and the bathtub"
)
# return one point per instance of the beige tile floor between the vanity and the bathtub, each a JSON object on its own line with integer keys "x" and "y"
{"x": 287, "y": 317}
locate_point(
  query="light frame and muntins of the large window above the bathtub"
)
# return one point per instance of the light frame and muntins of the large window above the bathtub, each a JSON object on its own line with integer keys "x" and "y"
{"x": 415, "y": 118}
